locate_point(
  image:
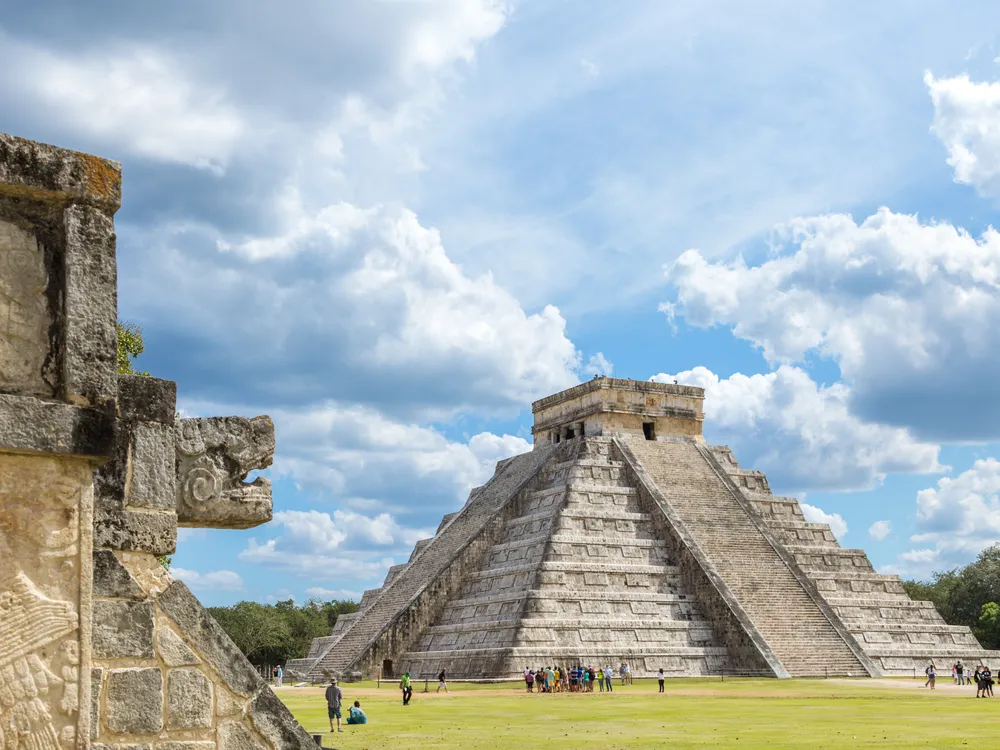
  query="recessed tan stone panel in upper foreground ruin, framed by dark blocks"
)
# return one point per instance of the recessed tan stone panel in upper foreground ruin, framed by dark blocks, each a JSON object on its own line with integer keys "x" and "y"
{"x": 24, "y": 314}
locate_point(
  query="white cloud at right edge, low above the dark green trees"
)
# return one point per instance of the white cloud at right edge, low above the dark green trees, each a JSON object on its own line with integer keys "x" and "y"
{"x": 956, "y": 519}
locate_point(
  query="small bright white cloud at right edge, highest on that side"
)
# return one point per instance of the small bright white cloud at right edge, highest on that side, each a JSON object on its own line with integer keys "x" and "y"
{"x": 967, "y": 122}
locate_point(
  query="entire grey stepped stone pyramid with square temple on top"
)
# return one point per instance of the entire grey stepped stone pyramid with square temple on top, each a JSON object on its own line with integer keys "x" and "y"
{"x": 623, "y": 537}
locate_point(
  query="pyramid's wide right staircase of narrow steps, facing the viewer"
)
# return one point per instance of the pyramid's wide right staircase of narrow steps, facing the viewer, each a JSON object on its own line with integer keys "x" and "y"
{"x": 785, "y": 613}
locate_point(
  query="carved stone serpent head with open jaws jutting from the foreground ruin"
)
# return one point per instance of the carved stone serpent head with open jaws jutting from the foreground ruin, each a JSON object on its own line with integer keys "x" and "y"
{"x": 214, "y": 457}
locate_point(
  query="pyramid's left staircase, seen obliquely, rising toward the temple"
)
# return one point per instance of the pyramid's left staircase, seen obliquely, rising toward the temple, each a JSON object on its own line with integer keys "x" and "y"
{"x": 401, "y": 591}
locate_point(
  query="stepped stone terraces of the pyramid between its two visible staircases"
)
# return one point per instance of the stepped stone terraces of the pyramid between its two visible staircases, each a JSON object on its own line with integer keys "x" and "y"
{"x": 579, "y": 576}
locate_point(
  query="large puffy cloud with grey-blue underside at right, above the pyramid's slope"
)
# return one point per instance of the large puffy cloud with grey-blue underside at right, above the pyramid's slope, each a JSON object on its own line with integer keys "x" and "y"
{"x": 909, "y": 311}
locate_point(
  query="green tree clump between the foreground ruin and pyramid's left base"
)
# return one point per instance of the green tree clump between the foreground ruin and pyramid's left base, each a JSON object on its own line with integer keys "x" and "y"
{"x": 270, "y": 634}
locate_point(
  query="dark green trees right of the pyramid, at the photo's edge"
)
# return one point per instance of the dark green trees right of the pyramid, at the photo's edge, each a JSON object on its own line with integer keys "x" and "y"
{"x": 967, "y": 596}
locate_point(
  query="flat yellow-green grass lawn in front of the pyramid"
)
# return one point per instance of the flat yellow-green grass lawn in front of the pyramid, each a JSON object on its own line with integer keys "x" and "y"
{"x": 742, "y": 713}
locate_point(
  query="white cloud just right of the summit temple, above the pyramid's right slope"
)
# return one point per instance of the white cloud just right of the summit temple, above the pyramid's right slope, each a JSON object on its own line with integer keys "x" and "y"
{"x": 802, "y": 435}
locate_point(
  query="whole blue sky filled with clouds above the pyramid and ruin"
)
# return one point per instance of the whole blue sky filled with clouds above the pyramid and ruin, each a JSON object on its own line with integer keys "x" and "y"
{"x": 392, "y": 225}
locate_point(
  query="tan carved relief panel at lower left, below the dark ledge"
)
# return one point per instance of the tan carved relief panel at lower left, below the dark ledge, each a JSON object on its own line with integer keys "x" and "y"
{"x": 41, "y": 506}
